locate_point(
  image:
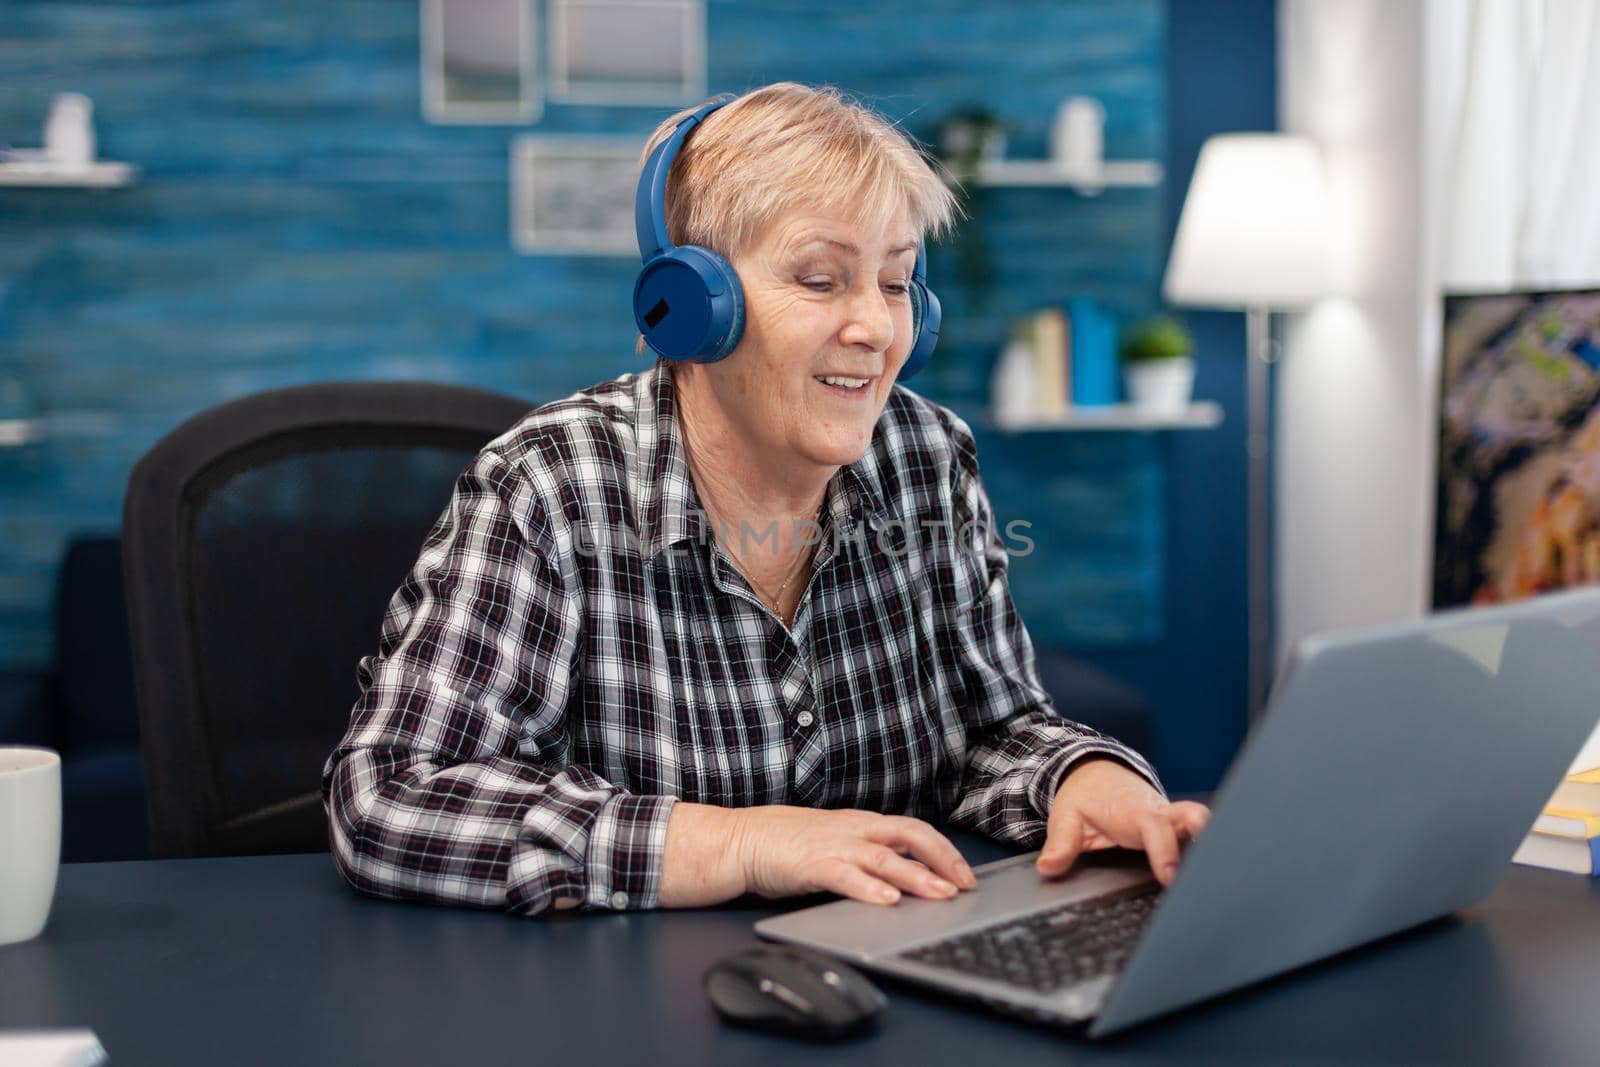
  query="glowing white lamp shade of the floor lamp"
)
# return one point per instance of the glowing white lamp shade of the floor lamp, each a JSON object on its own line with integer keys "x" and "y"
{"x": 1255, "y": 226}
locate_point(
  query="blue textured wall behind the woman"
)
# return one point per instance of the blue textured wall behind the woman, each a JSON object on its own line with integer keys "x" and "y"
{"x": 300, "y": 222}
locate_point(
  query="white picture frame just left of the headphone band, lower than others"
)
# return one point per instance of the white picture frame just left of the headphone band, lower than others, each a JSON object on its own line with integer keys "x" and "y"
{"x": 574, "y": 194}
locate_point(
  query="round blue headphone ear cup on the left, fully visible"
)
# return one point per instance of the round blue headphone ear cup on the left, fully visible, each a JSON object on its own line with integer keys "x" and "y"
{"x": 689, "y": 305}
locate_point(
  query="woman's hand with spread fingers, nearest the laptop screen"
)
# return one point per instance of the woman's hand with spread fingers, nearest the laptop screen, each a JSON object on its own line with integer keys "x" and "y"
{"x": 1102, "y": 804}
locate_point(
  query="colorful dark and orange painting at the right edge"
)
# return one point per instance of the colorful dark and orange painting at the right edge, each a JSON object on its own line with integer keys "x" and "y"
{"x": 1519, "y": 447}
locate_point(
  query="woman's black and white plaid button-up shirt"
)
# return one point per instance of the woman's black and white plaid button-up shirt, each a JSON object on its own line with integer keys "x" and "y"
{"x": 574, "y": 653}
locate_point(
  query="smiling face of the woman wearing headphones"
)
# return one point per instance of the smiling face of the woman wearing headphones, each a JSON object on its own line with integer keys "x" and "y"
{"x": 825, "y": 298}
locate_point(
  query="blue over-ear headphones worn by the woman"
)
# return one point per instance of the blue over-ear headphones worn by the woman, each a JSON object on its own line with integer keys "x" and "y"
{"x": 689, "y": 303}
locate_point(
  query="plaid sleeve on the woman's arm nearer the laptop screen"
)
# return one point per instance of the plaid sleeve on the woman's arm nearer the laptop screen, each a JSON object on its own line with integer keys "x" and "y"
{"x": 1020, "y": 748}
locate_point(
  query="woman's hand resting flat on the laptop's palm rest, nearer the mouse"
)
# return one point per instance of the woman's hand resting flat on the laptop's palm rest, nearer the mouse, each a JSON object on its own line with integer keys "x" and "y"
{"x": 863, "y": 855}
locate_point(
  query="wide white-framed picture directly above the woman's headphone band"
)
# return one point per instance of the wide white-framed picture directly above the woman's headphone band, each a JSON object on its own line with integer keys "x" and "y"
{"x": 628, "y": 52}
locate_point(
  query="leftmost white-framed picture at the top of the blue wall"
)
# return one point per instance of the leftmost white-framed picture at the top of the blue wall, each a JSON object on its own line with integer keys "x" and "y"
{"x": 479, "y": 62}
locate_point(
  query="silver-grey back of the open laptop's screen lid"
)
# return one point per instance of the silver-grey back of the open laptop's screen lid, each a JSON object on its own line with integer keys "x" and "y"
{"x": 1391, "y": 781}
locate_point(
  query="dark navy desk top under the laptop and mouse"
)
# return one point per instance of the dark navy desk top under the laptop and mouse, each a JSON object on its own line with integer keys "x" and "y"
{"x": 273, "y": 961}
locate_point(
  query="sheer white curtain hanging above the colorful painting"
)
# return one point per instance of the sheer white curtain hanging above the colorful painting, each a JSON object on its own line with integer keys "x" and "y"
{"x": 1518, "y": 100}
